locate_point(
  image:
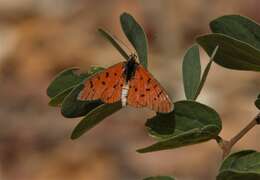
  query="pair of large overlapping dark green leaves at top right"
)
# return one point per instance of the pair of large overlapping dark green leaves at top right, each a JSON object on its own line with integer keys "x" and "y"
{"x": 239, "y": 41}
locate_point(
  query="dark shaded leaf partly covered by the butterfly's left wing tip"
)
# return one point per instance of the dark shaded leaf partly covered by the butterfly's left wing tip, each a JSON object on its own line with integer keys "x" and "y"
{"x": 72, "y": 107}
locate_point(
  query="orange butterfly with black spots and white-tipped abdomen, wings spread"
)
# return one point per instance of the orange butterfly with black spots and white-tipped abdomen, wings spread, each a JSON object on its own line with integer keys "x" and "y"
{"x": 129, "y": 82}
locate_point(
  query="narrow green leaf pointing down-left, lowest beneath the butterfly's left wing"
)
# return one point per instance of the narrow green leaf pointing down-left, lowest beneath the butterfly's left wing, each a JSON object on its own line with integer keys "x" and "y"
{"x": 94, "y": 117}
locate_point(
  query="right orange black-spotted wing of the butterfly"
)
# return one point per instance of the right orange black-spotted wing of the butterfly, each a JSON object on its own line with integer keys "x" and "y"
{"x": 145, "y": 91}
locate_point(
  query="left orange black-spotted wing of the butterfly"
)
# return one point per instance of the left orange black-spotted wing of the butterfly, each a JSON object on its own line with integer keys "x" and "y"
{"x": 106, "y": 85}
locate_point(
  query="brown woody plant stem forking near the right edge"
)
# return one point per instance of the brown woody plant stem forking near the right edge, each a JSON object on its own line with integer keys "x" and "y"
{"x": 226, "y": 146}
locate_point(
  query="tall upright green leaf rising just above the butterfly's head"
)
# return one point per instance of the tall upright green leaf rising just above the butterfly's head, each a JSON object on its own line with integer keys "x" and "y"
{"x": 136, "y": 36}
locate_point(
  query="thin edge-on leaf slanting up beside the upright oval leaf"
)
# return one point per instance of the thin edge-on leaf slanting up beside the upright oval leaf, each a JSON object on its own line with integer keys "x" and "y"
{"x": 205, "y": 73}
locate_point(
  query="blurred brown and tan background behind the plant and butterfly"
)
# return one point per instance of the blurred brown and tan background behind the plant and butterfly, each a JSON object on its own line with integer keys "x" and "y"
{"x": 40, "y": 38}
